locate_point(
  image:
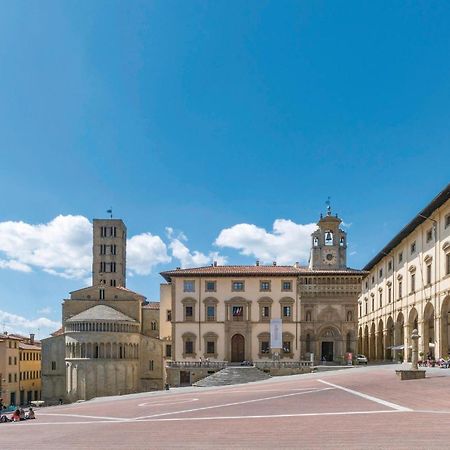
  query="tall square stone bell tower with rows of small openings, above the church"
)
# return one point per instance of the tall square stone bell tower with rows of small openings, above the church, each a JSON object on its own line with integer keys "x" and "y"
{"x": 109, "y": 252}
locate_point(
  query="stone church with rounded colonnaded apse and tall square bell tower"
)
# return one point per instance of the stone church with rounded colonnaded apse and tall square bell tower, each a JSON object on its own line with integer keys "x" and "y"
{"x": 108, "y": 344}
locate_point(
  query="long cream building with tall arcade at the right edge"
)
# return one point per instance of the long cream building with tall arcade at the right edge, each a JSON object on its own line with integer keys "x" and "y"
{"x": 407, "y": 287}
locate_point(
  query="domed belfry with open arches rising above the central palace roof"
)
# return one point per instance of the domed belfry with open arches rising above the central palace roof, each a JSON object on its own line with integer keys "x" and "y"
{"x": 329, "y": 244}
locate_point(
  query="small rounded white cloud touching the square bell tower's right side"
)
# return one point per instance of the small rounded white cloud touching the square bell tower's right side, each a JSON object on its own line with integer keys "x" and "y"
{"x": 145, "y": 251}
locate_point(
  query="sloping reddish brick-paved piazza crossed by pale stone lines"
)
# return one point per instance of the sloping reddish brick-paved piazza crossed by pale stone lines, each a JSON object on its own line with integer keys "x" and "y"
{"x": 354, "y": 408}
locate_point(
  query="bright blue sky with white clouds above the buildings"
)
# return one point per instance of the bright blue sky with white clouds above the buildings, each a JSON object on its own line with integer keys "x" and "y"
{"x": 200, "y": 116}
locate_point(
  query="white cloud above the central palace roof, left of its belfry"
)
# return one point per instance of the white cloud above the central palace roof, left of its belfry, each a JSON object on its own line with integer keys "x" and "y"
{"x": 287, "y": 243}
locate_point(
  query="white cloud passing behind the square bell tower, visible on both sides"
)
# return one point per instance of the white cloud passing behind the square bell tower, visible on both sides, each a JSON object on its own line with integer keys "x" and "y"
{"x": 63, "y": 247}
